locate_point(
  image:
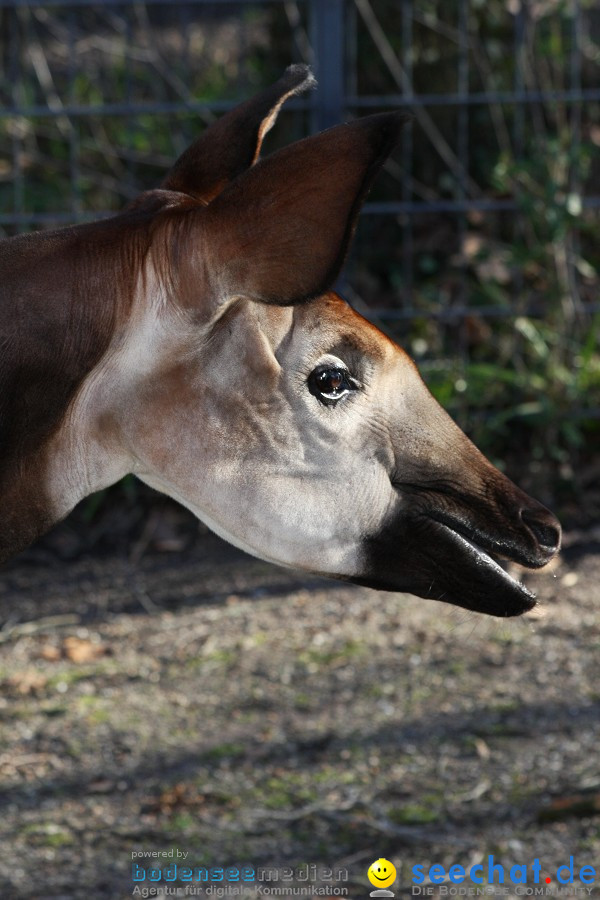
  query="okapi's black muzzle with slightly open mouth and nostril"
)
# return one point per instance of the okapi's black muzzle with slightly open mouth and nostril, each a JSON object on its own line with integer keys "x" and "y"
{"x": 451, "y": 550}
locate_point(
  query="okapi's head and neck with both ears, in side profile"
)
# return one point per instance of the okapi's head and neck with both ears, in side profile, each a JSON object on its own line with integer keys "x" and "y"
{"x": 194, "y": 341}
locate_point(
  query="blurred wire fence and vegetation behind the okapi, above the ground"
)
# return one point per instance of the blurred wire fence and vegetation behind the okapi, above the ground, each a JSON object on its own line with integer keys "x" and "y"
{"x": 479, "y": 248}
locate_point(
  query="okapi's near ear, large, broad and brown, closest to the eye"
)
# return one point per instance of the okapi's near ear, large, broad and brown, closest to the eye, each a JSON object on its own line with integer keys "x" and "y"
{"x": 279, "y": 234}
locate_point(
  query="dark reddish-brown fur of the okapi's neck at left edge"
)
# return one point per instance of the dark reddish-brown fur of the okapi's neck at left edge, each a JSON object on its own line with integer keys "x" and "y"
{"x": 62, "y": 296}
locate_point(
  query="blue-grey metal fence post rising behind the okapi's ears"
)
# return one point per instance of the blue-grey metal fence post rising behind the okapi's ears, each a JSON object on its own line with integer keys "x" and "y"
{"x": 327, "y": 29}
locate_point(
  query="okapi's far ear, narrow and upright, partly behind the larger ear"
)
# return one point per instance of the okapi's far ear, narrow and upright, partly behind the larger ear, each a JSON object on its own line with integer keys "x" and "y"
{"x": 232, "y": 144}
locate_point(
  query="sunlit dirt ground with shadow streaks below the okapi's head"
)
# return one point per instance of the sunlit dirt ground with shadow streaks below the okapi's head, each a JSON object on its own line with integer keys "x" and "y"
{"x": 172, "y": 694}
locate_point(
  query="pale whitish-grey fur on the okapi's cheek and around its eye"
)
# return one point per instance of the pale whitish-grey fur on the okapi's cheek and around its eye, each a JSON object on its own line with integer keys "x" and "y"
{"x": 223, "y": 422}
